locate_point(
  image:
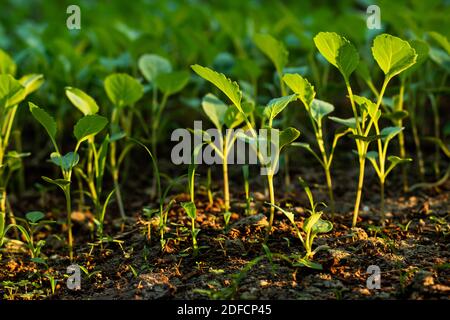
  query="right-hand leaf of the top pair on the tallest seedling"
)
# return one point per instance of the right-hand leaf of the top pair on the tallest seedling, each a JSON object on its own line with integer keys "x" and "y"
{"x": 393, "y": 54}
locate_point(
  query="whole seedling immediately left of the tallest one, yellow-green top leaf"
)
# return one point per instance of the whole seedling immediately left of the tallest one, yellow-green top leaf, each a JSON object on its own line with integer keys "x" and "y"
{"x": 317, "y": 110}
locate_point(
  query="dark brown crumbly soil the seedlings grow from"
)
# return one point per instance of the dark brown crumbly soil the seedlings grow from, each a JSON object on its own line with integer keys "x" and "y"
{"x": 412, "y": 250}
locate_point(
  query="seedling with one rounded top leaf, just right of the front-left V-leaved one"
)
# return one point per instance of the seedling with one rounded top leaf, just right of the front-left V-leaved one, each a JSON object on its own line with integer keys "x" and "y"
{"x": 123, "y": 91}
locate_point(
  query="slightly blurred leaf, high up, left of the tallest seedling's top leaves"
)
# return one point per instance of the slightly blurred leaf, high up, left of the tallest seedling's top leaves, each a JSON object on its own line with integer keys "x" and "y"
{"x": 273, "y": 49}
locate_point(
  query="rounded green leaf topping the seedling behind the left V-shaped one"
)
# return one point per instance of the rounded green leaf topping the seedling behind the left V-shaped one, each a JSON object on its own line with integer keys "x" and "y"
{"x": 123, "y": 90}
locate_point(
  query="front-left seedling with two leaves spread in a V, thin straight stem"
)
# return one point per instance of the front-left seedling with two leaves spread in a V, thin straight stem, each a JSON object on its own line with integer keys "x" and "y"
{"x": 85, "y": 128}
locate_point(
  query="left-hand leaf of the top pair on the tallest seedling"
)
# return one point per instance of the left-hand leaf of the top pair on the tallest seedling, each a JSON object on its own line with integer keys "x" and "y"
{"x": 338, "y": 51}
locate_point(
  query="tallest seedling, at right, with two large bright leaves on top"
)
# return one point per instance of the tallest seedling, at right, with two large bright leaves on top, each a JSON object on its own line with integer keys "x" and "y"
{"x": 393, "y": 55}
